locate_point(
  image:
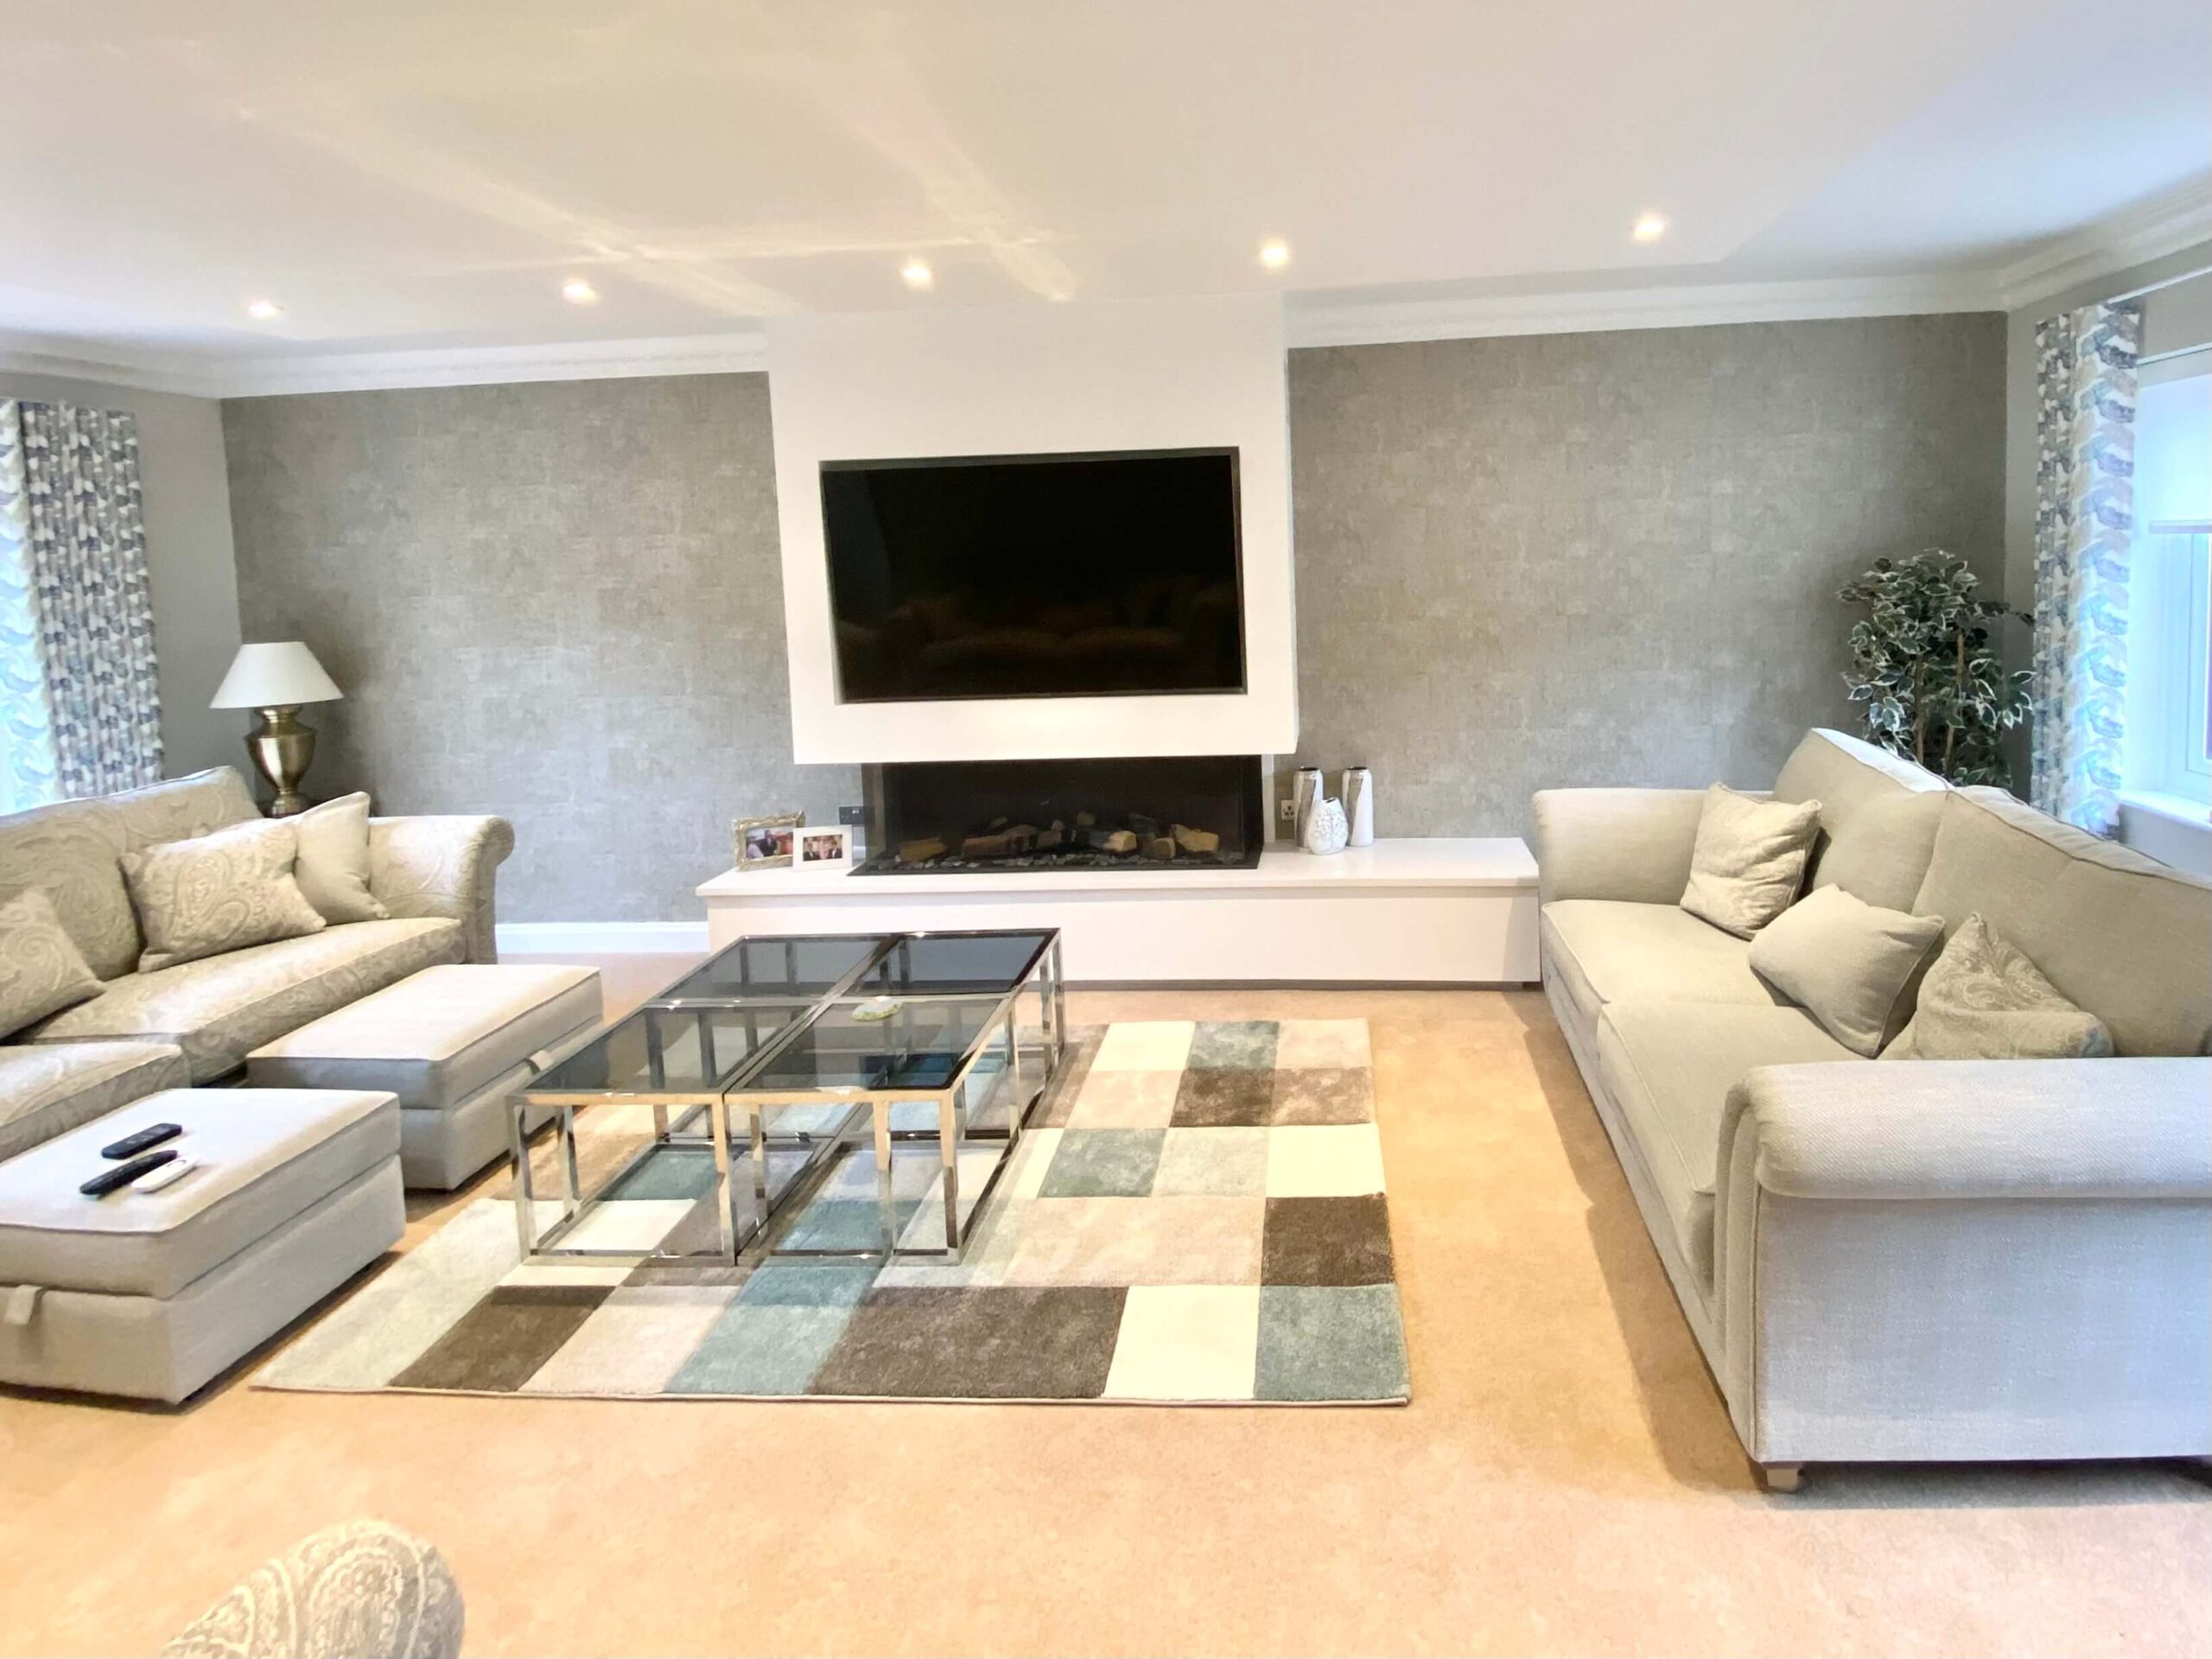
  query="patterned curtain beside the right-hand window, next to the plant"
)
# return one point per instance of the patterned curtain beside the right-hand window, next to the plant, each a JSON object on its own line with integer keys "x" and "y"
{"x": 2085, "y": 521}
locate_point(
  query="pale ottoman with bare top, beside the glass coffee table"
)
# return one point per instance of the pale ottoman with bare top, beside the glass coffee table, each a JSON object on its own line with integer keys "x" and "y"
{"x": 452, "y": 1043}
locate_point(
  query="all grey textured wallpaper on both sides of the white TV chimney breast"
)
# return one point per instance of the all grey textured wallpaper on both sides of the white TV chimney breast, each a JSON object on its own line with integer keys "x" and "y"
{"x": 1578, "y": 559}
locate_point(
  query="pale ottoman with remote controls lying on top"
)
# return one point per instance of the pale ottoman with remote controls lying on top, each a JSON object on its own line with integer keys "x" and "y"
{"x": 156, "y": 1293}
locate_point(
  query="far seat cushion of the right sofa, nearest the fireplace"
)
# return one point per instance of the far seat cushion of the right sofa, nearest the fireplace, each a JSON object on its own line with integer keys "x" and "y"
{"x": 1609, "y": 950}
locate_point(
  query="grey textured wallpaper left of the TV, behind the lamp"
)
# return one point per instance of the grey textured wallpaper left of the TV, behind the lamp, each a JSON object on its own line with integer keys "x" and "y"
{"x": 561, "y": 603}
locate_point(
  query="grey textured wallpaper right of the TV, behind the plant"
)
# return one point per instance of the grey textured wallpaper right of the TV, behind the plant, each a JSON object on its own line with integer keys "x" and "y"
{"x": 1614, "y": 559}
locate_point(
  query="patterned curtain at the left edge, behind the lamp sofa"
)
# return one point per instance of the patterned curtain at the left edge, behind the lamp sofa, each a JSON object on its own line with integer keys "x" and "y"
{"x": 81, "y": 711}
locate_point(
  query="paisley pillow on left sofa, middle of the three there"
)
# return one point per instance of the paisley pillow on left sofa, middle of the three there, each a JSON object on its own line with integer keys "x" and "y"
{"x": 218, "y": 893}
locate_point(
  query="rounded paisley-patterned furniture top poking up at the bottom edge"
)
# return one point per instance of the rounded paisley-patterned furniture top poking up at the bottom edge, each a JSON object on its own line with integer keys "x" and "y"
{"x": 353, "y": 1589}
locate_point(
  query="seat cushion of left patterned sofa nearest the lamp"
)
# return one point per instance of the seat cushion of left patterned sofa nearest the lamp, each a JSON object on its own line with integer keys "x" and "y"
{"x": 222, "y": 1008}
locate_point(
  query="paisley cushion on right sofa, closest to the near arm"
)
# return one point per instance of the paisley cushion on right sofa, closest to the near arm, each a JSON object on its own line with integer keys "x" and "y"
{"x": 1985, "y": 1001}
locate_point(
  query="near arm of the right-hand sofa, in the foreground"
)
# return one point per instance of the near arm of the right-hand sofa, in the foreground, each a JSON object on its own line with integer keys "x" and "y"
{"x": 1968, "y": 1260}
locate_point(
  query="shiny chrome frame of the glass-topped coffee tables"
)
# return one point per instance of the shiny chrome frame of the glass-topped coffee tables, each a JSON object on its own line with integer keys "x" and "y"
{"x": 769, "y": 1213}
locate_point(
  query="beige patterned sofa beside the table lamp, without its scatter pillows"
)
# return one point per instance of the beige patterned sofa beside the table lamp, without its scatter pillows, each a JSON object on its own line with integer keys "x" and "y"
{"x": 198, "y": 1021}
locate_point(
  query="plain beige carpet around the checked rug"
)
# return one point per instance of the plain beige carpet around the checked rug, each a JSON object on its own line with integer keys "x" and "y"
{"x": 1565, "y": 1479}
